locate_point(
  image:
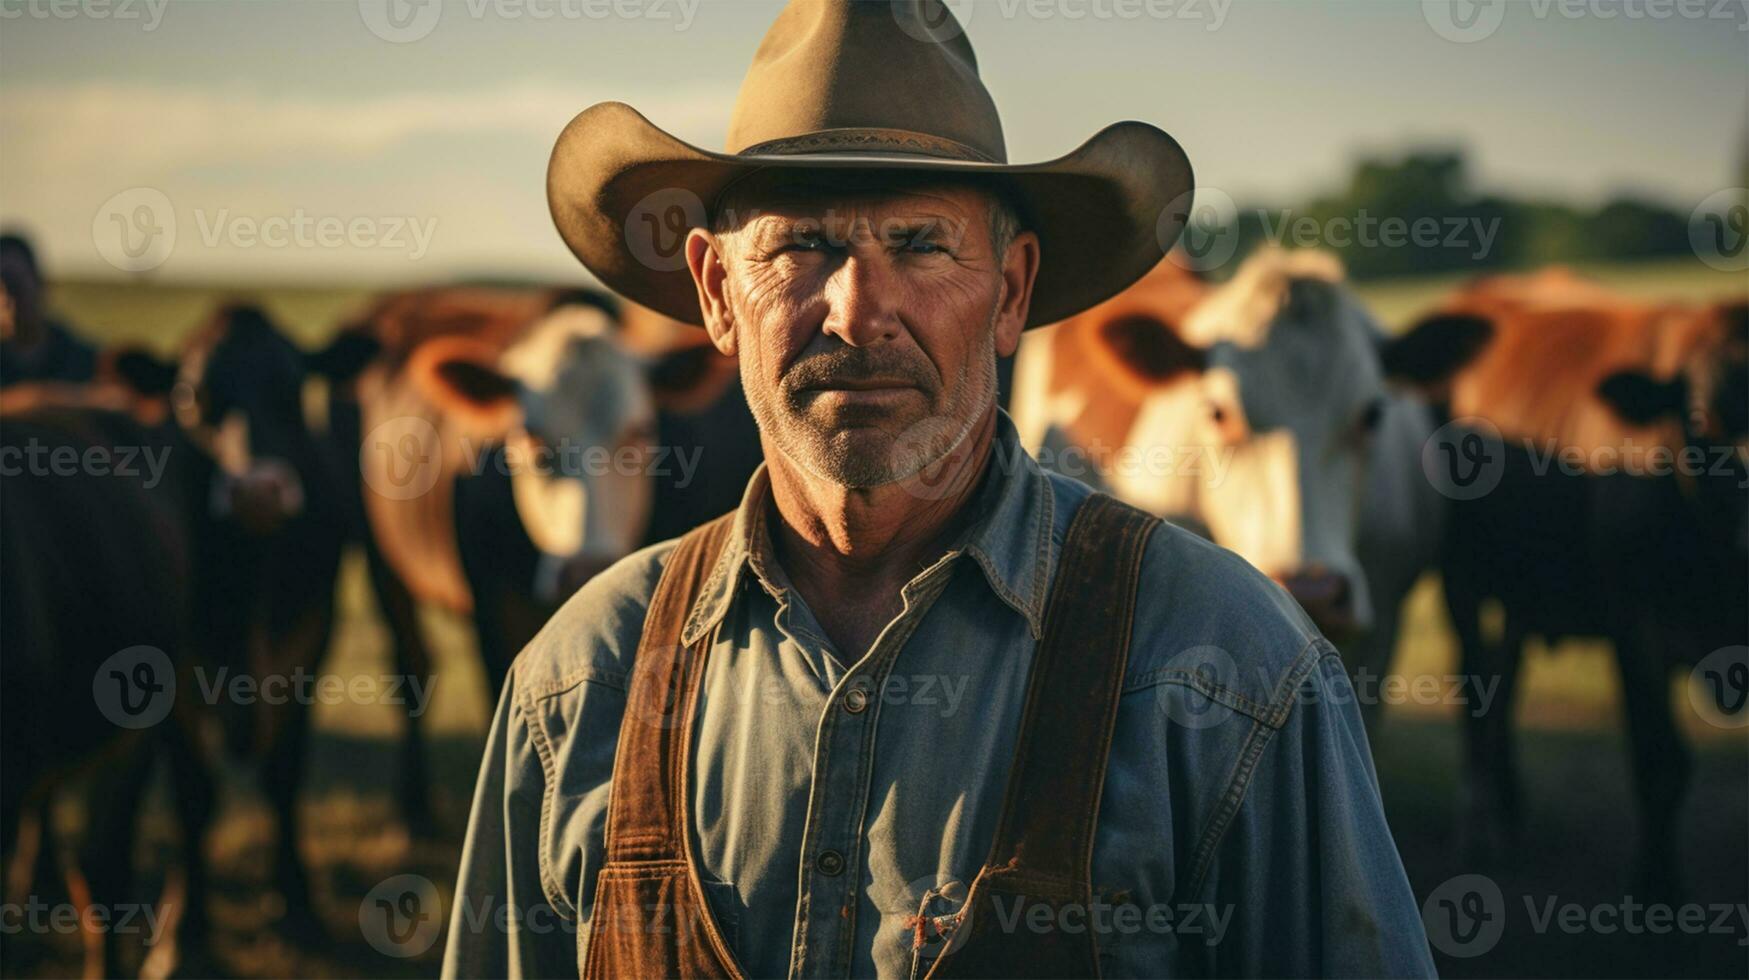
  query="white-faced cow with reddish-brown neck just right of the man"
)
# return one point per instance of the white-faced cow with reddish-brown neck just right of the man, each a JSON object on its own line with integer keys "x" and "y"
{"x": 1274, "y": 416}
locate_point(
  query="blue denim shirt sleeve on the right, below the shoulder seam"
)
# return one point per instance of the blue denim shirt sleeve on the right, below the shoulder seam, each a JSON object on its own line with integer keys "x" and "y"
{"x": 1307, "y": 872}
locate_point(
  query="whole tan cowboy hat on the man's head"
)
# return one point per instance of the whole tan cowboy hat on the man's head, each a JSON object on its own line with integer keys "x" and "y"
{"x": 847, "y": 85}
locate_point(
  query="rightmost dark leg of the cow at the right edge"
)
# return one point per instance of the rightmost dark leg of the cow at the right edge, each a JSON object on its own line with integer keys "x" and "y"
{"x": 1661, "y": 760}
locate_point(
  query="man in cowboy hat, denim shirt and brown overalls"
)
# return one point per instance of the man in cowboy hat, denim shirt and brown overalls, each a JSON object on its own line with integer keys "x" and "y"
{"x": 916, "y": 708}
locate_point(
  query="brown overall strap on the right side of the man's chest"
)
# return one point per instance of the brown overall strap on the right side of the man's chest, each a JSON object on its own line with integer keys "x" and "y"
{"x": 1043, "y": 850}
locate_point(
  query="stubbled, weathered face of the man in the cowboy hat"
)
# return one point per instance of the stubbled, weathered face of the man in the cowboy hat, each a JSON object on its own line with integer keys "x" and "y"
{"x": 867, "y": 325}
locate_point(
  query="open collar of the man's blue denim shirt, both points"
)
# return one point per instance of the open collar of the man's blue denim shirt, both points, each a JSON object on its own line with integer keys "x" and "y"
{"x": 1010, "y": 540}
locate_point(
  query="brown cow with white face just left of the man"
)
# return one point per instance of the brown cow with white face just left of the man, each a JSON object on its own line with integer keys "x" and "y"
{"x": 515, "y": 442}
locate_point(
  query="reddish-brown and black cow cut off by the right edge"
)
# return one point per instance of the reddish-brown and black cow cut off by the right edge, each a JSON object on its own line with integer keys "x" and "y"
{"x": 1584, "y": 405}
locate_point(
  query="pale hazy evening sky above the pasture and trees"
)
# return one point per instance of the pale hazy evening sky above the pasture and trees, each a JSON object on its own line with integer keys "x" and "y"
{"x": 407, "y": 141}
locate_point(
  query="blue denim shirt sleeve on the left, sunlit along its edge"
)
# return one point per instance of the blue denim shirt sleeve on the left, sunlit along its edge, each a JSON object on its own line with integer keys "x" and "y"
{"x": 503, "y": 921}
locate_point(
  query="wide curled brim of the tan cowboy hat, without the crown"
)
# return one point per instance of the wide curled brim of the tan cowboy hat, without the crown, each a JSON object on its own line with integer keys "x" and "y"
{"x": 624, "y": 195}
